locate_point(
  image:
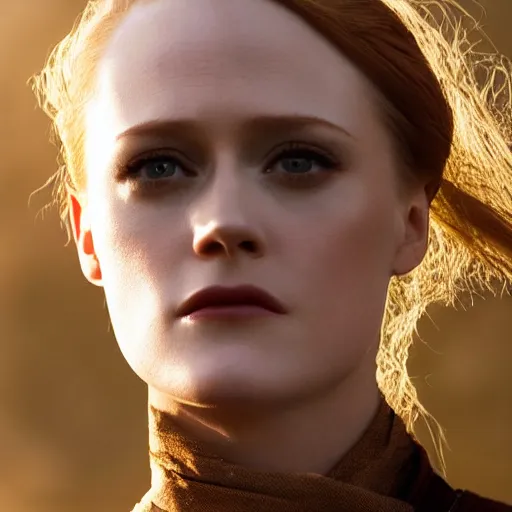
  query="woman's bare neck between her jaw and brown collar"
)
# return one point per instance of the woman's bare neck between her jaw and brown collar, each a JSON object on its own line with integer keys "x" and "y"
{"x": 309, "y": 436}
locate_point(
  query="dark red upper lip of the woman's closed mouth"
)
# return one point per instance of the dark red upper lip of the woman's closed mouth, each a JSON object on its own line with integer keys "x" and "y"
{"x": 218, "y": 296}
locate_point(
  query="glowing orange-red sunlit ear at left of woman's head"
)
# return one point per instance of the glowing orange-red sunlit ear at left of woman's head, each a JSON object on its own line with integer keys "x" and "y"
{"x": 82, "y": 235}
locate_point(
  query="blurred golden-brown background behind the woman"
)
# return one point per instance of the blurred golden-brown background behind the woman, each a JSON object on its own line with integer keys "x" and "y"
{"x": 73, "y": 416}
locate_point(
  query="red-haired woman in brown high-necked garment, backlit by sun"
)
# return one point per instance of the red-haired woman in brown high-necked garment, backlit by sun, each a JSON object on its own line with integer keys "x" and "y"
{"x": 271, "y": 192}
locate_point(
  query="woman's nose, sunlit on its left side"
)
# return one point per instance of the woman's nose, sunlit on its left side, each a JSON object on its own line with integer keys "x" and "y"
{"x": 223, "y": 225}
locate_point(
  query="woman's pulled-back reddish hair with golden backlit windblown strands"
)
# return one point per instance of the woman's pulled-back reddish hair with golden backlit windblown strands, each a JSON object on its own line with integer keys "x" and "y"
{"x": 448, "y": 106}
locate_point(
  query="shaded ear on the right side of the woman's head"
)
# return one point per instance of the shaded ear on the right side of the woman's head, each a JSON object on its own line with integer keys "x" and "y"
{"x": 414, "y": 232}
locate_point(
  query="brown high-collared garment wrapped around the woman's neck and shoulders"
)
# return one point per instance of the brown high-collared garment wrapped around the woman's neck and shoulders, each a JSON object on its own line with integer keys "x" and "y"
{"x": 386, "y": 471}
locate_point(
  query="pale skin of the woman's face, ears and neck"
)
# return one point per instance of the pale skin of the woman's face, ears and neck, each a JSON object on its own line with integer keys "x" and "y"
{"x": 215, "y": 80}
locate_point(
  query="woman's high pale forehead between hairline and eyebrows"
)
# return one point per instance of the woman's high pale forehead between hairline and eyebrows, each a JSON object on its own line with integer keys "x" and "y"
{"x": 221, "y": 61}
